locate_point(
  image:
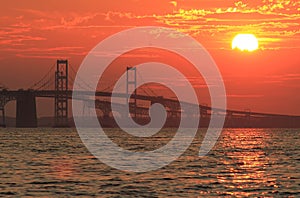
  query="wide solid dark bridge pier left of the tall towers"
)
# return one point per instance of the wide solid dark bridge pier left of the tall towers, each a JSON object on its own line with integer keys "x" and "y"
{"x": 26, "y": 110}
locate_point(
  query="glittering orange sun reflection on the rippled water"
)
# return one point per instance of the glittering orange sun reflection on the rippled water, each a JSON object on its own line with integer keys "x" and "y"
{"x": 246, "y": 161}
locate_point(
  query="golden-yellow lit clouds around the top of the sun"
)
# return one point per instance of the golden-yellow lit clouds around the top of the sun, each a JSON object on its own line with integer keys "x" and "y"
{"x": 272, "y": 21}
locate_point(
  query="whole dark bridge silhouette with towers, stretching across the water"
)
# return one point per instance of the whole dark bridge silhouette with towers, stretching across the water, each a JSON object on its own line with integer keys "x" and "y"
{"x": 57, "y": 84}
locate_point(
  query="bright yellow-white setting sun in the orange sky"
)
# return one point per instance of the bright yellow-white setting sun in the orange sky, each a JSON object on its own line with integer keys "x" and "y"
{"x": 245, "y": 42}
